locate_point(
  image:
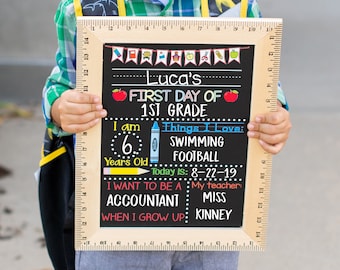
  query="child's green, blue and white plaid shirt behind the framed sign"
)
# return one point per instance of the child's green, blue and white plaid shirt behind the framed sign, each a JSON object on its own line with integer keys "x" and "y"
{"x": 63, "y": 76}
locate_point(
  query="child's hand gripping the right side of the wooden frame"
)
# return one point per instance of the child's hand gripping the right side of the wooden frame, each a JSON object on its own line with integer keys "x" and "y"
{"x": 272, "y": 129}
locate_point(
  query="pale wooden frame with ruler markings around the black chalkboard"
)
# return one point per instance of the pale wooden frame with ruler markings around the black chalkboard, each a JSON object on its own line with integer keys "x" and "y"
{"x": 93, "y": 32}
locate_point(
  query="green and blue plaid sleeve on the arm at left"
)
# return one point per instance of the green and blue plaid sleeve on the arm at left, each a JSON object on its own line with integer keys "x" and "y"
{"x": 63, "y": 75}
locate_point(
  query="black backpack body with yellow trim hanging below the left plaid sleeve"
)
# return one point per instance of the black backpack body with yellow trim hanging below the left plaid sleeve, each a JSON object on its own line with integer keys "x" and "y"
{"x": 56, "y": 198}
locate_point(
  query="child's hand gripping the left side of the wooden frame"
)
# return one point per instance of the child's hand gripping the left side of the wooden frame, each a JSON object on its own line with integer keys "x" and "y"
{"x": 75, "y": 112}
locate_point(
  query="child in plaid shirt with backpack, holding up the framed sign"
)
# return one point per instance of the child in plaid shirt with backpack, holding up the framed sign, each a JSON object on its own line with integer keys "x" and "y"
{"x": 68, "y": 112}
